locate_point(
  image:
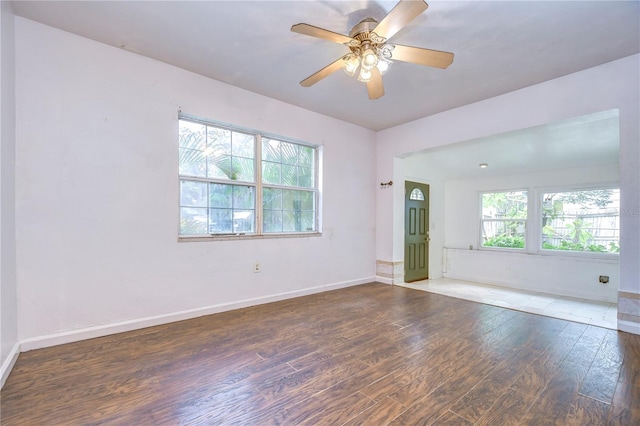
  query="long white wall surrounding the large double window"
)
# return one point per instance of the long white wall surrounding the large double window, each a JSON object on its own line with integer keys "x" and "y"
{"x": 97, "y": 193}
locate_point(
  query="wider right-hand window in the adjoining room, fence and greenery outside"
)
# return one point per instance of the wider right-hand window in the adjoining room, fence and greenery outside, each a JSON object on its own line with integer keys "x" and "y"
{"x": 584, "y": 221}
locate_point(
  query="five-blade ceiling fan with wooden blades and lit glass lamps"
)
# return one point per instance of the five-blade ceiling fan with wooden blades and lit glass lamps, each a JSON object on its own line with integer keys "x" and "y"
{"x": 370, "y": 50}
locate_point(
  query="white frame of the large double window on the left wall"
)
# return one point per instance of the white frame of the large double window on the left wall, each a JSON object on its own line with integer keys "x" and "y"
{"x": 257, "y": 184}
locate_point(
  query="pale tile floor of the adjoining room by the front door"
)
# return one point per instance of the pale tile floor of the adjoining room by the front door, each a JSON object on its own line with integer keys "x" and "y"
{"x": 601, "y": 314}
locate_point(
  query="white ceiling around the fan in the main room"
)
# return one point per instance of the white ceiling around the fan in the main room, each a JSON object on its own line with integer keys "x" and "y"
{"x": 499, "y": 46}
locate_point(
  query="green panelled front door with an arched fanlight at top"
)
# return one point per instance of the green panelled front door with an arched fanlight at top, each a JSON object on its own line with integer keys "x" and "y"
{"x": 416, "y": 232}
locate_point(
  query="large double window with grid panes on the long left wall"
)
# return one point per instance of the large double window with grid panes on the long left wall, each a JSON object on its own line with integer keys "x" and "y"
{"x": 235, "y": 182}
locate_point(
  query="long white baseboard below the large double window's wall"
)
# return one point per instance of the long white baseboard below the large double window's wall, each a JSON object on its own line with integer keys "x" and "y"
{"x": 135, "y": 324}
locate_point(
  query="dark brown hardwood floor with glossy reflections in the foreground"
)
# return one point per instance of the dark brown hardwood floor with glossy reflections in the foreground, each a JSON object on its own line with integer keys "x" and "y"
{"x": 368, "y": 355}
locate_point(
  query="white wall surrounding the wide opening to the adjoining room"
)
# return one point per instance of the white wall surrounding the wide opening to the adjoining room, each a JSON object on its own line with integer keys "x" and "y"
{"x": 608, "y": 86}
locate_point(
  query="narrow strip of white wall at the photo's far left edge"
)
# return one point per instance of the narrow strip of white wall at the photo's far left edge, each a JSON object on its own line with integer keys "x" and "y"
{"x": 8, "y": 303}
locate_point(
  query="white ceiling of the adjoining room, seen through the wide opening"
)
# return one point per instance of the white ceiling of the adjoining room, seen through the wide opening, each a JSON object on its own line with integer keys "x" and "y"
{"x": 590, "y": 140}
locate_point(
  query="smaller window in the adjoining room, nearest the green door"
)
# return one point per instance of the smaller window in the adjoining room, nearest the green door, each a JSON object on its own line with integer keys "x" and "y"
{"x": 504, "y": 219}
